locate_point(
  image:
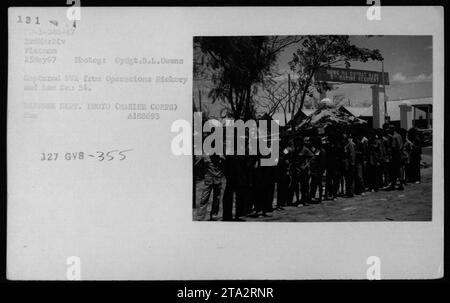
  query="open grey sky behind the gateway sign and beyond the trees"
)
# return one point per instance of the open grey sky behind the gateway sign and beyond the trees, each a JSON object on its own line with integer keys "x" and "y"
{"x": 407, "y": 59}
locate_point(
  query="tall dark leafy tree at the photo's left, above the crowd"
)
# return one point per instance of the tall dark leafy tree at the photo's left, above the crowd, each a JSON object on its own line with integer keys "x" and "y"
{"x": 239, "y": 65}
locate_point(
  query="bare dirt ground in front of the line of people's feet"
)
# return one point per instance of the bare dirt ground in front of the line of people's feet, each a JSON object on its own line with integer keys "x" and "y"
{"x": 412, "y": 204}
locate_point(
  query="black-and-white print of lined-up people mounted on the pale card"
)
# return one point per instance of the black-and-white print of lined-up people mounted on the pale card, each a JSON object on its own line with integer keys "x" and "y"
{"x": 354, "y": 135}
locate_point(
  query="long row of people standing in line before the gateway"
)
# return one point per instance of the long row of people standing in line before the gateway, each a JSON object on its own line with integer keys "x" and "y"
{"x": 310, "y": 170}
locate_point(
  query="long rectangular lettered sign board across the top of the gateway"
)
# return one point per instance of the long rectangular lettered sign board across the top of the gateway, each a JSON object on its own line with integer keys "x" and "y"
{"x": 346, "y": 75}
